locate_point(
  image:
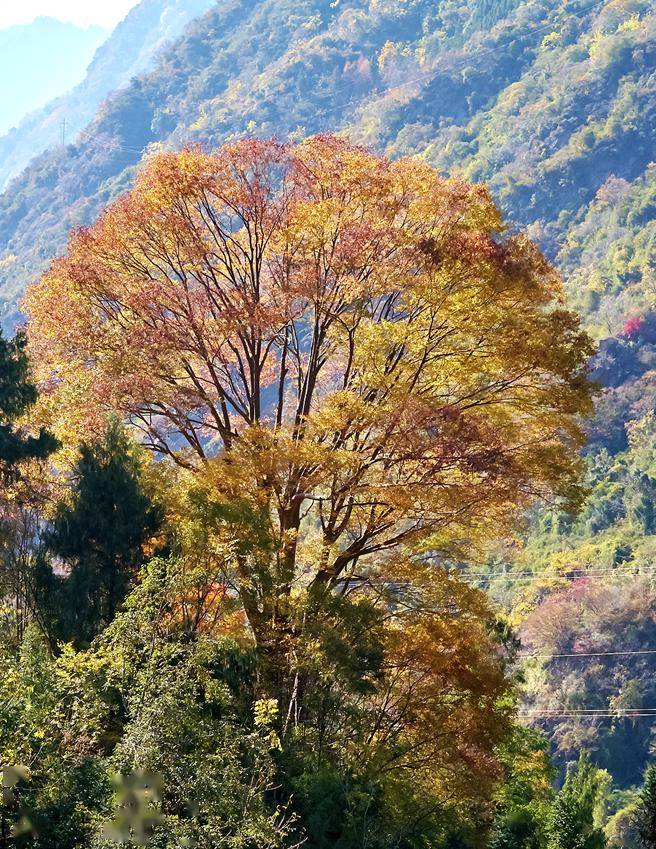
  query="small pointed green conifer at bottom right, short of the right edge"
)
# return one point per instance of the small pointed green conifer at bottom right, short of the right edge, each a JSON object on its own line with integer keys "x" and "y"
{"x": 571, "y": 824}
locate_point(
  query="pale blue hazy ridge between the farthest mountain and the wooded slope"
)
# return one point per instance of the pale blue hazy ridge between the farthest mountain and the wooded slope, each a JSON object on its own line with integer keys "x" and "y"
{"x": 129, "y": 50}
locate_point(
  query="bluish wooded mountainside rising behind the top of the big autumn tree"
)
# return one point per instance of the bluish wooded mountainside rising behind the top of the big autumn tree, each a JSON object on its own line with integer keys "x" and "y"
{"x": 546, "y": 100}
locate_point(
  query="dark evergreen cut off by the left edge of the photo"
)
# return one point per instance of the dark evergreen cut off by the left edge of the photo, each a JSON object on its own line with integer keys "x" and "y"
{"x": 17, "y": 396}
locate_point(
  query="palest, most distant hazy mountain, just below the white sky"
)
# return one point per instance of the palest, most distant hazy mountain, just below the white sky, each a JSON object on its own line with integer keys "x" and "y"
{"x": 42, "y": 60}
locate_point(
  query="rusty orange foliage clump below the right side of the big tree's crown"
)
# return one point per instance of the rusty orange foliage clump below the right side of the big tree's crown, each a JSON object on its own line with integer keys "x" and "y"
{"x": 447, "y": 702}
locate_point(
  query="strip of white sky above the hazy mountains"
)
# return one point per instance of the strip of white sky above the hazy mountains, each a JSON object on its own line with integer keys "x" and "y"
{"x": 82, "y": 12}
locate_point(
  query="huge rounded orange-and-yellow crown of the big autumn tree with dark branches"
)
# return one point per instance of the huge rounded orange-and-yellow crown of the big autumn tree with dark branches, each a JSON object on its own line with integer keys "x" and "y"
{"x": 348, "y": 354}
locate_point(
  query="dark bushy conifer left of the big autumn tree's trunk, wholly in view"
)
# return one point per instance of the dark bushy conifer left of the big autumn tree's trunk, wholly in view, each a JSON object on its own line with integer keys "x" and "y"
{"x": 99, "y": 537}
